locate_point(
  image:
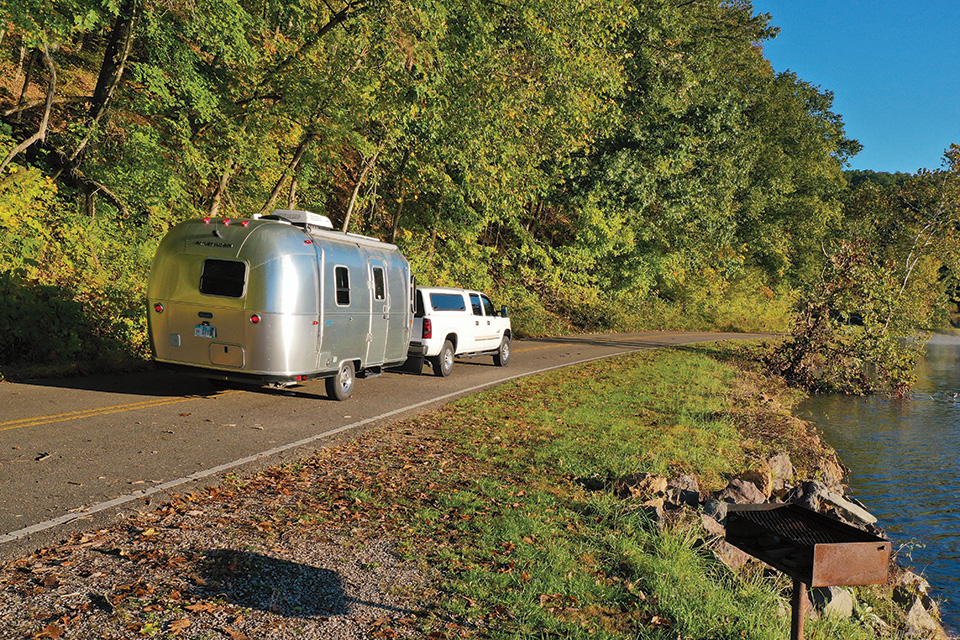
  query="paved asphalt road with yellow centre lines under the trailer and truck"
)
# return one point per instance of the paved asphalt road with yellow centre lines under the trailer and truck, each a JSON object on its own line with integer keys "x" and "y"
{"x": 74, "y": 453}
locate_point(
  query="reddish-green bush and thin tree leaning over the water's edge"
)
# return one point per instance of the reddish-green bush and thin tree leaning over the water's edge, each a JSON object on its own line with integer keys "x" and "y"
{"x": 890, "y": 274}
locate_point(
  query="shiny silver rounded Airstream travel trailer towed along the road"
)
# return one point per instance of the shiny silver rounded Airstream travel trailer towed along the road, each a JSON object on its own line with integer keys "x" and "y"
{"x": 278, "y": 299}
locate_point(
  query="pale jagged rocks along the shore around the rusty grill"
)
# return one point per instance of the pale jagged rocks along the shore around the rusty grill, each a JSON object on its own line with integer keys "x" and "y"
{"x": 775, "y": 480}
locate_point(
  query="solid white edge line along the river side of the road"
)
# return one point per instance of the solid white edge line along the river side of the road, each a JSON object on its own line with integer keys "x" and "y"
{"x": 199, "y": 475}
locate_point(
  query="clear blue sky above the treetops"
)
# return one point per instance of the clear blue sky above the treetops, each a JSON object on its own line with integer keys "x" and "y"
{"x": 893, "y": 67}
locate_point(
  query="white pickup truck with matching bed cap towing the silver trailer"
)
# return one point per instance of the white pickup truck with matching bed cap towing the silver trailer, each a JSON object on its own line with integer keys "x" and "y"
{"x": 451, "y": 323}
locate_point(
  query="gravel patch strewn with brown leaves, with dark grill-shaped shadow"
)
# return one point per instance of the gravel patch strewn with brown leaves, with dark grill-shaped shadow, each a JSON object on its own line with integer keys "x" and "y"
{"x": 289, "y": 553}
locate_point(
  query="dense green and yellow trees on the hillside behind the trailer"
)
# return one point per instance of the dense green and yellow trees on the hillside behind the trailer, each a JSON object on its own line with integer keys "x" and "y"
{"x": 595, "y": 165}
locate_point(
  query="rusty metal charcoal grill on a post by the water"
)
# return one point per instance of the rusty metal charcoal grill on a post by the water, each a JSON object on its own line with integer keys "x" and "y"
{"x": 813, "y": 549}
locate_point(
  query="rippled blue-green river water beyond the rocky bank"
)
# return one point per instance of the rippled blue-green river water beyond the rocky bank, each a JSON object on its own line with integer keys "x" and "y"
{"x": 904, "y": 462}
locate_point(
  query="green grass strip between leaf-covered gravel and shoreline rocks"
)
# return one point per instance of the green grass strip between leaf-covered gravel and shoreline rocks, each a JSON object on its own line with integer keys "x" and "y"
{"x": 528, "y": 552}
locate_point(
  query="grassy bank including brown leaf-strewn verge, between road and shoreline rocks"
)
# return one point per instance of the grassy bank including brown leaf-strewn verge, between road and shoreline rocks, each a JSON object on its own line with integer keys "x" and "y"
{"x": 507, "y": 498}
